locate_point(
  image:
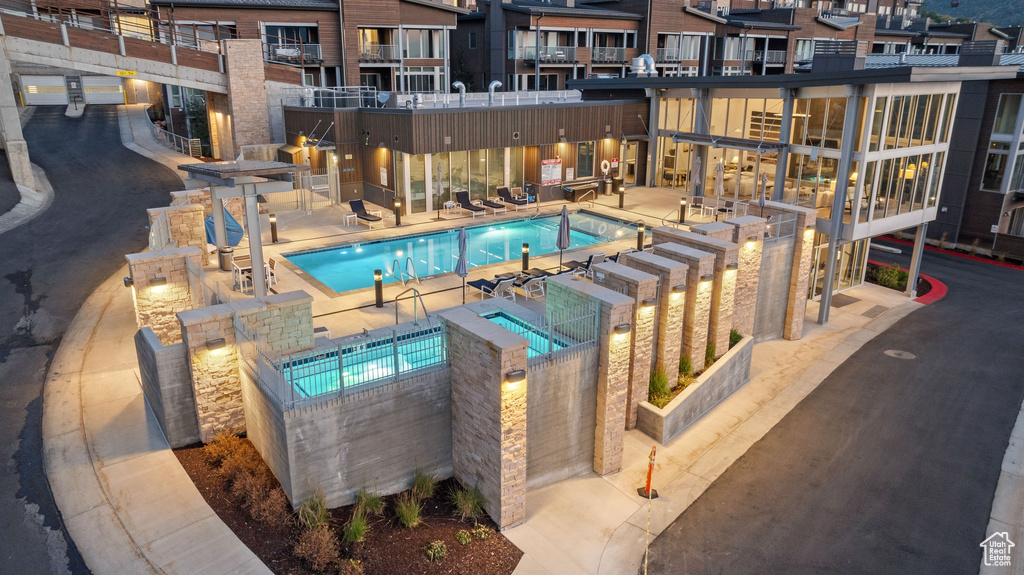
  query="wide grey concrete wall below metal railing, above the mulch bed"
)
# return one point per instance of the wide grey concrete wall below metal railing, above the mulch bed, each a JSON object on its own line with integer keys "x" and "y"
{"x": 373, "y": 440}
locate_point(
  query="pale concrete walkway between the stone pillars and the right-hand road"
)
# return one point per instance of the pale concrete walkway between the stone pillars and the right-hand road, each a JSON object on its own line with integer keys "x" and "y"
{"x": 605, "y": 521}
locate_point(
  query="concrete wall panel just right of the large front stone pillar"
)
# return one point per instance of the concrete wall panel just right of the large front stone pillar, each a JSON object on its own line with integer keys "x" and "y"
{"x": 562, "y": 402}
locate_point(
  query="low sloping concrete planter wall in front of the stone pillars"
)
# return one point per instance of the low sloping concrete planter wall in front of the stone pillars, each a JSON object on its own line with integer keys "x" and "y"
{"x": 727, "y": 376}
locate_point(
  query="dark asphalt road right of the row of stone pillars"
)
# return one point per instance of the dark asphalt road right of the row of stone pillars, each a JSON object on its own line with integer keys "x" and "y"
{"x": 890, "y": 465}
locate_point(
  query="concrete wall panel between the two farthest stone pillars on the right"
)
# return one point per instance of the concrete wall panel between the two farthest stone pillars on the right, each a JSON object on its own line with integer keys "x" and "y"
{"x": 774, "y": 289}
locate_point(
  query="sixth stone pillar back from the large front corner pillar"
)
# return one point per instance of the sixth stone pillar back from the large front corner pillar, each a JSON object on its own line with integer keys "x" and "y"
{"x": 727, "y": 270}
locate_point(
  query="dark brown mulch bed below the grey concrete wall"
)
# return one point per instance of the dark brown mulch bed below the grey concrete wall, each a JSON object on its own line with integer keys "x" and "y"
{"x": 390, "y": 548}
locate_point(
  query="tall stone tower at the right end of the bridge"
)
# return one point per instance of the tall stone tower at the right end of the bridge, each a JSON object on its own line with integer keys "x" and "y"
{"x": 247, "y": 94}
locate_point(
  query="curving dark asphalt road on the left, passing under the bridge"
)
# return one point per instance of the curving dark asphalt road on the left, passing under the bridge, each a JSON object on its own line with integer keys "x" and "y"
{"x": 49, "y": 268}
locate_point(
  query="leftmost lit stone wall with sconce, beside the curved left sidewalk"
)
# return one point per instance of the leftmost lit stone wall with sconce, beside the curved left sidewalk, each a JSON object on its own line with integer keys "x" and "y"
{"x": 161, "y": 289}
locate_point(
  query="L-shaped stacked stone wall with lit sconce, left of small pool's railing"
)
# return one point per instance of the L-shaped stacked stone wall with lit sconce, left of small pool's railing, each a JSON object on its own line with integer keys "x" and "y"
{"x": 284, "y": 325}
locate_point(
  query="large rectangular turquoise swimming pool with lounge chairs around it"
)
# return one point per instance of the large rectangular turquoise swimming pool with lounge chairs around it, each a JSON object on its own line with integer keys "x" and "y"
{"x": 352, "y": 268}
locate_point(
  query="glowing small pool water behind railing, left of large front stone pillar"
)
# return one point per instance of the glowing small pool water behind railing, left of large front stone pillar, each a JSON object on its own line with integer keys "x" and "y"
{"x": 365, "y": 364}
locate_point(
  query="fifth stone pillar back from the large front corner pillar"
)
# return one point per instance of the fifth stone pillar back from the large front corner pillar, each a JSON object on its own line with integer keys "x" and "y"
{"x": 700, "y": 276}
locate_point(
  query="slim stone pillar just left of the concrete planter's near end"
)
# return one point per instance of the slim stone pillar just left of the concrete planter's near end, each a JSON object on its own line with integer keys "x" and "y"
{"x": 643, "y": 288}
